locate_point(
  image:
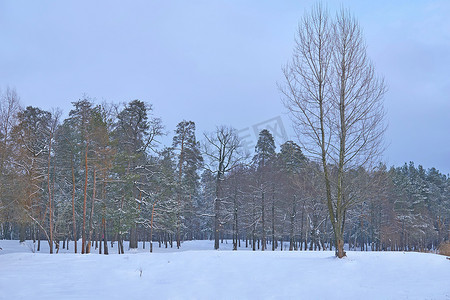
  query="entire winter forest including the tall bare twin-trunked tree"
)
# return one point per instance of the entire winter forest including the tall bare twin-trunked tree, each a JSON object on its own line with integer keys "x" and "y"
{"x": 101, "y": 173}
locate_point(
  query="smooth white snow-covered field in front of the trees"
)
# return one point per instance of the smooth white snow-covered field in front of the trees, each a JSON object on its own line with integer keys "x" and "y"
{"x": 196, "y": 272}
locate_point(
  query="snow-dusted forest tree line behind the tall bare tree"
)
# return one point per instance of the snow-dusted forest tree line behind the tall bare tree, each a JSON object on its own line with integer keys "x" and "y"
{"x": 102, "y": 175}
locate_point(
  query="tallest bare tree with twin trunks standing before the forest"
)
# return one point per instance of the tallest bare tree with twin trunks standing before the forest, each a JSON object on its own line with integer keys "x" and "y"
{"x": 335, "y": 100}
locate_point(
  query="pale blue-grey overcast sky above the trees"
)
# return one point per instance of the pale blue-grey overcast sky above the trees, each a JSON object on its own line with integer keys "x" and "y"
{"x": 218, "y": 62}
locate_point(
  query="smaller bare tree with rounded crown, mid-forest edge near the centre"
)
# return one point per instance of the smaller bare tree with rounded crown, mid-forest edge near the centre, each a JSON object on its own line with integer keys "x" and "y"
{"x": 222, "y": 149}
